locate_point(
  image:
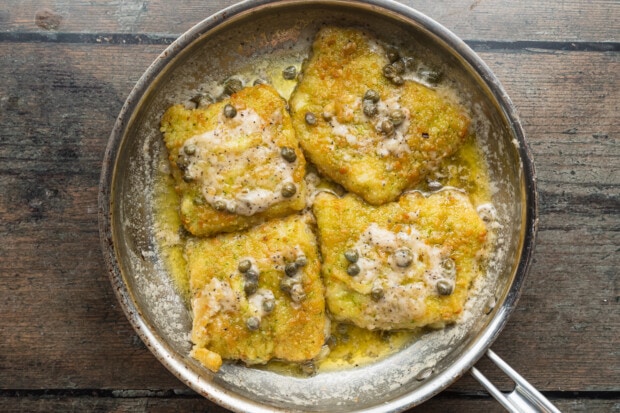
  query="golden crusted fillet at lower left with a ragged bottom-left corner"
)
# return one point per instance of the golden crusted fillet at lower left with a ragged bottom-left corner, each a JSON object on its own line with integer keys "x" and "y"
{"x": 294, "y": 330}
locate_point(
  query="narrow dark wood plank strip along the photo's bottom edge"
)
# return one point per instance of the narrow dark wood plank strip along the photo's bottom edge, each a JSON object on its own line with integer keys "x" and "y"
{"x": 439, "y": 404}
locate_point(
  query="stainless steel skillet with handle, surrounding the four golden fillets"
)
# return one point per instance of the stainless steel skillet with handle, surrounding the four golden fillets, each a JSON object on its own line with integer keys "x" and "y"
{"x": 252, "y": 36}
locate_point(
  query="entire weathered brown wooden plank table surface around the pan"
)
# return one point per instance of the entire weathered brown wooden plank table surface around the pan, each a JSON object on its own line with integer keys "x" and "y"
{"x": 66, "y": 67}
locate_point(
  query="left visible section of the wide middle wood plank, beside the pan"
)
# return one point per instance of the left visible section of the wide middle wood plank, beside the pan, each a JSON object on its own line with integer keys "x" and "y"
{"x": 60, "y": 321}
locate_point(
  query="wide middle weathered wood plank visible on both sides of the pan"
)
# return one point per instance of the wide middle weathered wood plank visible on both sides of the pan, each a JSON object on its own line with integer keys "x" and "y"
{"x": 57, "y": 106}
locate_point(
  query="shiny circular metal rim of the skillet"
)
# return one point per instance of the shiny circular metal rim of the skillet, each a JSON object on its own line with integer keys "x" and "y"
{"x": 168, "y": 356}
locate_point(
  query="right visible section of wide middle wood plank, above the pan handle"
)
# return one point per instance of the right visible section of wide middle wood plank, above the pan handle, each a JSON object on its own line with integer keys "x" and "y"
{"x": 571, "y": 299}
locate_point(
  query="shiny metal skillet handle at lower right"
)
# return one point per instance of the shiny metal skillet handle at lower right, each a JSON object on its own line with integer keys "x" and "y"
{"x": 523, "y": 399}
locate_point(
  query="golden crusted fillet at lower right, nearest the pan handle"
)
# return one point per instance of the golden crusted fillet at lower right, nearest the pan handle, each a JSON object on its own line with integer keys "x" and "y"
{"x": 447, "y": 241}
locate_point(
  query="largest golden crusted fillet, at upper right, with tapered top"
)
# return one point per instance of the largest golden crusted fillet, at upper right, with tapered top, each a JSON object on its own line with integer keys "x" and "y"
{"x": 345, "y": 143}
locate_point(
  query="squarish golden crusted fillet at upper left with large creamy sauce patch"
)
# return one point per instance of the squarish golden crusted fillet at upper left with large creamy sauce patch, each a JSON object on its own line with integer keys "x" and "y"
{"x": 237, "y": 161}
